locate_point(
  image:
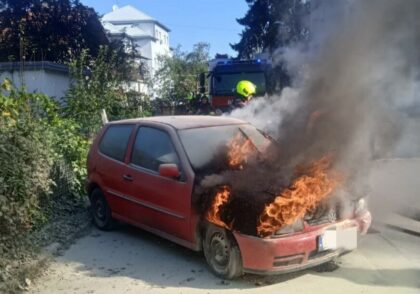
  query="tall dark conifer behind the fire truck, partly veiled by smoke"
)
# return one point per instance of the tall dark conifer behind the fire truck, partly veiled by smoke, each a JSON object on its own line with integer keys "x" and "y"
{"x": 270, "y": 24}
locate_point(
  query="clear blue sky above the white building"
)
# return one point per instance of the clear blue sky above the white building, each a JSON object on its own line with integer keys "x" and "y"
{"x": 190, "y": 21}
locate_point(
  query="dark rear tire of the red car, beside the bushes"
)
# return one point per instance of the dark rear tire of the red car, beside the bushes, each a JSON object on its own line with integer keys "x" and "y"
{"x": 101, "y": 212}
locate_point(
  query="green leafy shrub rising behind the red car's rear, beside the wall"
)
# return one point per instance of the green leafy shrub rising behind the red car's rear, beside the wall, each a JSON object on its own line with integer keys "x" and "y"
{"x": 104, "y": 83}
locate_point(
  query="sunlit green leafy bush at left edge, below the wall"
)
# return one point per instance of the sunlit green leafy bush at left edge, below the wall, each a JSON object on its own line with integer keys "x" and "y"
{"x": 25, "y": 165}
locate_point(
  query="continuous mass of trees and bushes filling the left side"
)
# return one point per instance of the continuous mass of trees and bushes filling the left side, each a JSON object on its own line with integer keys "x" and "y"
{"x": 44, "y": 142}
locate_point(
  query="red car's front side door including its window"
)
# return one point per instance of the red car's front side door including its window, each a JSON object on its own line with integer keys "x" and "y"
{"x": 162, "y": 203}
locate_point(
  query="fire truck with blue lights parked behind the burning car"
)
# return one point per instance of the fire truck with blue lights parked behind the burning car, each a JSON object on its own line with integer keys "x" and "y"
{"x": 224, "y": 74}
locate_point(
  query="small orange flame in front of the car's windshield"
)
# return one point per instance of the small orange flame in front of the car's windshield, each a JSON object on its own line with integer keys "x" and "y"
{"x": 240, "y": 149}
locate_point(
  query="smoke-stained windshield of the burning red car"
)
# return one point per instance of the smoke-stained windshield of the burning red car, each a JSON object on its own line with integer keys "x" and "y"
{"x": 205, "y": 147}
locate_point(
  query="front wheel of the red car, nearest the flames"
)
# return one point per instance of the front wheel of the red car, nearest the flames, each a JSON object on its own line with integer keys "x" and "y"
{"x": 222, "y": 252}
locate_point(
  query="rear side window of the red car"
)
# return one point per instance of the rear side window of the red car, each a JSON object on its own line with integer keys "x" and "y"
{"x": 115, "y": 140}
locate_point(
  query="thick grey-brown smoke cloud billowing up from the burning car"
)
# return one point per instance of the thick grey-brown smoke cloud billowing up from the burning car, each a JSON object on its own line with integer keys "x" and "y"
{"x": 355, "y": 88}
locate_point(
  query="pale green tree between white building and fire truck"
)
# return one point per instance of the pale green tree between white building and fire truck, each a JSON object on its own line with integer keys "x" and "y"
{"x": 177, "y": 77}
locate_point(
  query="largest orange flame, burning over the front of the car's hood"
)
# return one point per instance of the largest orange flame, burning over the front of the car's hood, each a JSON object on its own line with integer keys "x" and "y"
{"x": 312, "y": 186}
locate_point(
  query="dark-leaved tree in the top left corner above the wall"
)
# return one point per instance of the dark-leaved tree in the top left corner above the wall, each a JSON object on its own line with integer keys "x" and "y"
{"x": 54, "y": 30}
